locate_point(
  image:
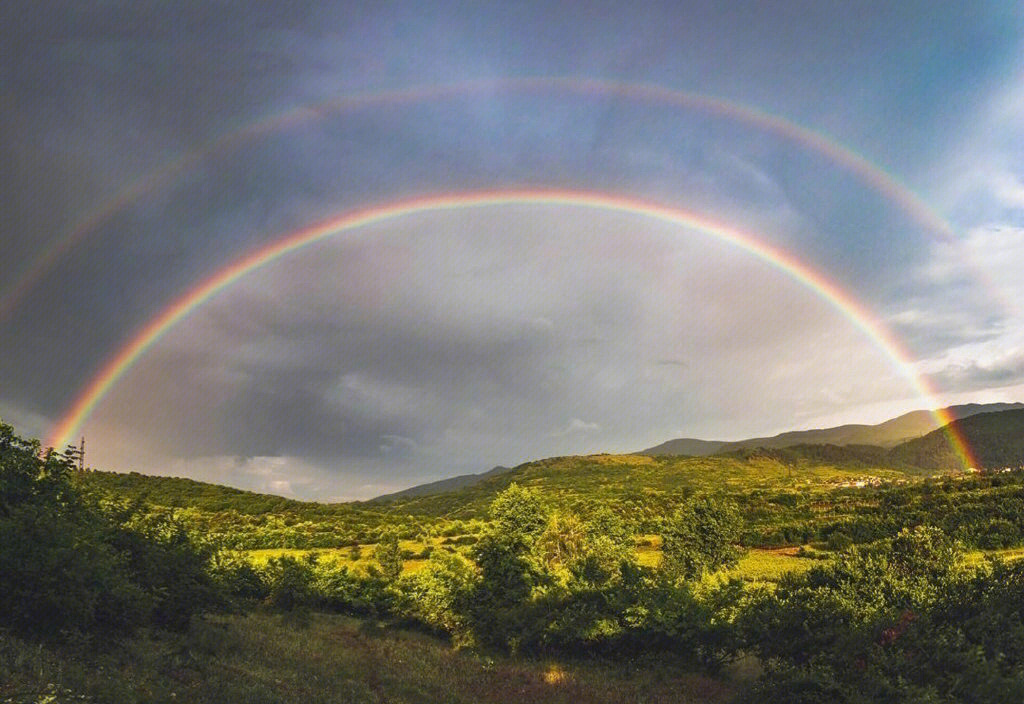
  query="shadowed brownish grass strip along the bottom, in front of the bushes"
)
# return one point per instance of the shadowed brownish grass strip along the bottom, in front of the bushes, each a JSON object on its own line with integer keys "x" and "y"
{"x": 263, "y": 658}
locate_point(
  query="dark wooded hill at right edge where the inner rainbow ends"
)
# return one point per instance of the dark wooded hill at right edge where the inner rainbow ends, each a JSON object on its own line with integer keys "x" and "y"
{"x": 996, "y": 441}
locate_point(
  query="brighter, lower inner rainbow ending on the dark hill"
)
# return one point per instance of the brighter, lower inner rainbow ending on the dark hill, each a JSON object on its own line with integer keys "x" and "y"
{"x": 787, "y": 263}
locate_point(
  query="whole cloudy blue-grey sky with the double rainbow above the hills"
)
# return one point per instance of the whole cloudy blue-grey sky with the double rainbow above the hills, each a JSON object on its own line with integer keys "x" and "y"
{"x": 711, "y": 222}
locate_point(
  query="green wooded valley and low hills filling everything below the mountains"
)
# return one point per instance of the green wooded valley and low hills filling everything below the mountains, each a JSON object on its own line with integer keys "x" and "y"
{"x": 886, "y": 584}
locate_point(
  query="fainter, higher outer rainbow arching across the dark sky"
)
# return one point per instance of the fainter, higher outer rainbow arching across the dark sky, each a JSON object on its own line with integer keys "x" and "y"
{"x": 883, "y": 183}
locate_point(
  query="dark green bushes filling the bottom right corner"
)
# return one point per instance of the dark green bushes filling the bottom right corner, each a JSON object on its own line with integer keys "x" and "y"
{"x": 902, "y": 622}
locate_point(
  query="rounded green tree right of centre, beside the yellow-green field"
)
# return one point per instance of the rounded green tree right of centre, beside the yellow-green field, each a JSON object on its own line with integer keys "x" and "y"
{"x": 701, "y": 538}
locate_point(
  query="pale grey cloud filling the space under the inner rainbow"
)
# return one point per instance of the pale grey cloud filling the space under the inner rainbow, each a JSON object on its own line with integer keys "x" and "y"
{"x": 358, "y": 356}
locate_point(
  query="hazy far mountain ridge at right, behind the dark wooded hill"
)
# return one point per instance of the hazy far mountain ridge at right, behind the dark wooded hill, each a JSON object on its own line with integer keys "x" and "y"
{"x": 887, "y": 434}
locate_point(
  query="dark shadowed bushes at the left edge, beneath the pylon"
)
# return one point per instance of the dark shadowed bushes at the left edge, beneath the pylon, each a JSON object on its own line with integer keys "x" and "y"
{"x": 72, "y": 566}
